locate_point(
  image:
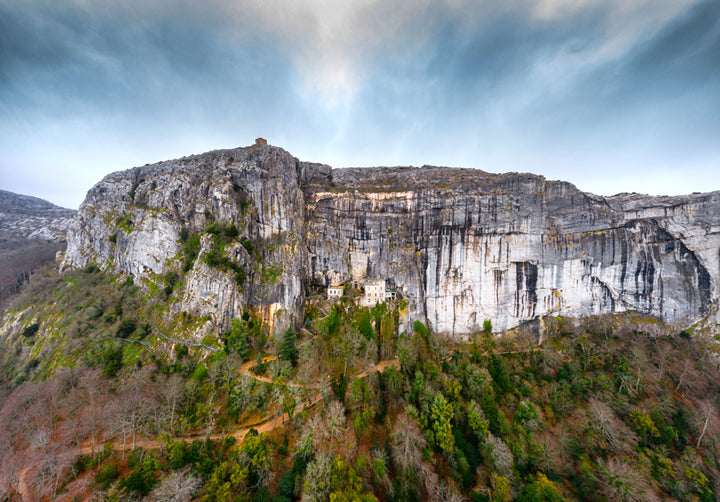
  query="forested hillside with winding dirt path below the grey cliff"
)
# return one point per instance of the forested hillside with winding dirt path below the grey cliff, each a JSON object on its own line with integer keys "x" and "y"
{"x": 107, "y": 394}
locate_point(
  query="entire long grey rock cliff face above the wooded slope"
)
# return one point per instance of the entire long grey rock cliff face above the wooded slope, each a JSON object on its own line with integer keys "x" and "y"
{"x": 459, "y": 245}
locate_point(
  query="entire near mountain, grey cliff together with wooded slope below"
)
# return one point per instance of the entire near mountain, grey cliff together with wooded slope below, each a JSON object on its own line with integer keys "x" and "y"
{"x": 531, "y": 342}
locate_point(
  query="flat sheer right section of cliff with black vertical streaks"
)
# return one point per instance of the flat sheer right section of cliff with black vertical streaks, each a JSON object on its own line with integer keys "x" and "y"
{"x": 464, "y": 246}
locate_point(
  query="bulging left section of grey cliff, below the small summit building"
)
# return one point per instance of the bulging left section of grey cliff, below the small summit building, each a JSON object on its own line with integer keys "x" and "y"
{"x": 139, "y": 221}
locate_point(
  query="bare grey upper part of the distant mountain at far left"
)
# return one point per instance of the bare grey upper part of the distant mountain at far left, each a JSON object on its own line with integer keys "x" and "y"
{"x": 26, "y": 217}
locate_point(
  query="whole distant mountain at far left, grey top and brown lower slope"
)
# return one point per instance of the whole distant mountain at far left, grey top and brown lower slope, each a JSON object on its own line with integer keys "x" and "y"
{"x": 32, "y": 231}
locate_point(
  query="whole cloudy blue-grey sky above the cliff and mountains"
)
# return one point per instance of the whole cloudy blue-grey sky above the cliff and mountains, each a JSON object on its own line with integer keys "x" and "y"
{"x": 612, "y": 95}
